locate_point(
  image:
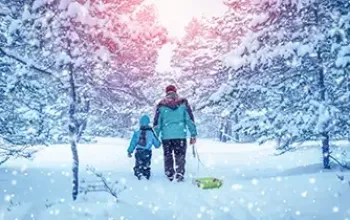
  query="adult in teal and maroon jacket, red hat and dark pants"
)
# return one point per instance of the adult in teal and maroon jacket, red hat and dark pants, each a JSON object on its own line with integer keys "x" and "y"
{"x": 172, "y": 120}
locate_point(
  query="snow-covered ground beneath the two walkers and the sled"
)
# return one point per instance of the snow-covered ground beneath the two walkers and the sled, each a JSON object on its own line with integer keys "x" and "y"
{"x": 257, "y": 185}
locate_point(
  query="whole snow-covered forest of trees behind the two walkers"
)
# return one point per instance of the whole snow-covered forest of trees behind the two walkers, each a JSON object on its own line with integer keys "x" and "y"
{"x": 72, "y": 70}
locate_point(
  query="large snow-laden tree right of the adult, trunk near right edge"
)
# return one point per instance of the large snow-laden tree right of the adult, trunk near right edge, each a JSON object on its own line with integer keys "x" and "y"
{"x": 289, "y": 76}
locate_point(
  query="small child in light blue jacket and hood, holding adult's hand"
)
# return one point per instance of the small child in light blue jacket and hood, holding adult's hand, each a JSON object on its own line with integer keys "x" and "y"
{"x": 142, "y": 141}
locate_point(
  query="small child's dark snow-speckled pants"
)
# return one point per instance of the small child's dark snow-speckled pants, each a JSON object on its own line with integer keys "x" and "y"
{"x": 143, "y": 163}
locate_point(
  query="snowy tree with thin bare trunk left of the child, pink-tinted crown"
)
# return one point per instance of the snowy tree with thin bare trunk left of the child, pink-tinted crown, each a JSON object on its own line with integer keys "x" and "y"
{"x": 91, "y": 52}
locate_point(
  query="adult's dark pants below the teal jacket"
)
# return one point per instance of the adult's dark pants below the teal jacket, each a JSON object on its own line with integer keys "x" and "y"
{"x": 175, "y": 148}
